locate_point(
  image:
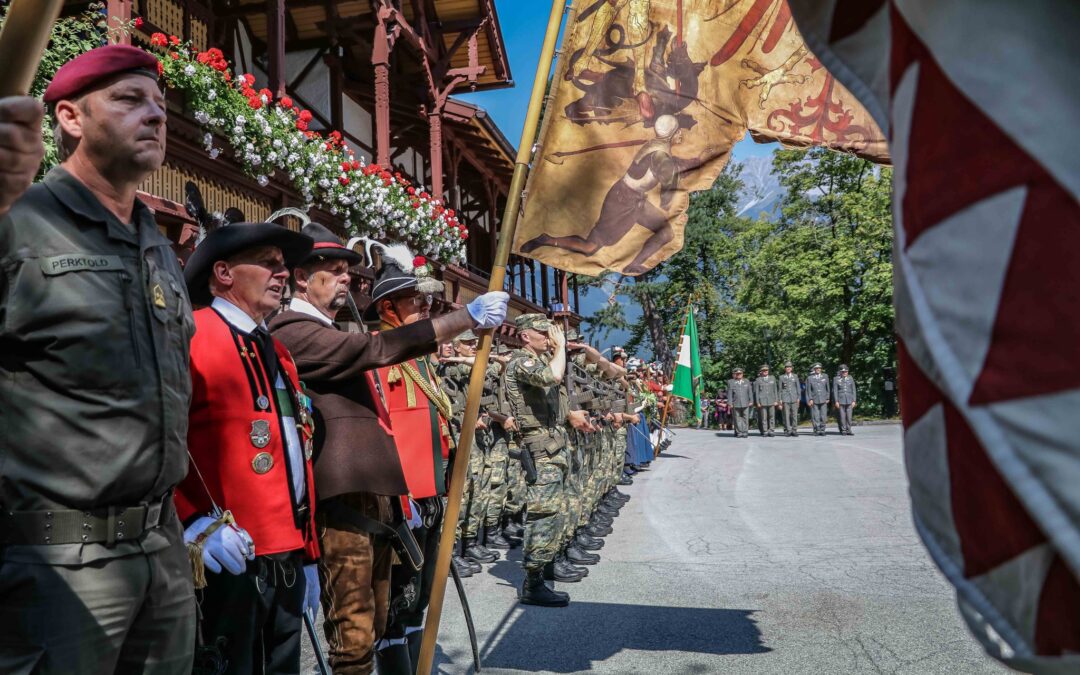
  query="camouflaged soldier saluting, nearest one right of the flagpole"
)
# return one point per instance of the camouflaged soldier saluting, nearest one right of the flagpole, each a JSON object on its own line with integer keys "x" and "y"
{"x": 533, "y": 393}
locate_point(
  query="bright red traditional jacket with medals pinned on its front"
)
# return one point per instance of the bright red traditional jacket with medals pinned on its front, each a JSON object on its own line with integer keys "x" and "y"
{"x": 237, "y": 441}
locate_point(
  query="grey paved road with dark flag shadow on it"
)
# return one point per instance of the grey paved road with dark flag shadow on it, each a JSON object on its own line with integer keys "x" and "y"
{"x": 764, "y": 556}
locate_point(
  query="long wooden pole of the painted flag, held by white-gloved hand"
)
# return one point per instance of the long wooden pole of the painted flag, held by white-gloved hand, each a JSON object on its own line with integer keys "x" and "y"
{"x": 484, "y": 349}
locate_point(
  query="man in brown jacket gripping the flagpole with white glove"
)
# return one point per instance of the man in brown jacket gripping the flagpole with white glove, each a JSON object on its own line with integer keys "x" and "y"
{"x": 358, "y": 470}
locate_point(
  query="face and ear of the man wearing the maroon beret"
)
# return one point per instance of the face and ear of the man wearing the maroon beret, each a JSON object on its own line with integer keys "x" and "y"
{"x": 120, "y": 128}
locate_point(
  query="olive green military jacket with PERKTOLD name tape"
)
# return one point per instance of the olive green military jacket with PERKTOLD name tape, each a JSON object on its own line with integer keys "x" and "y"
{"x": 96, "y": 326}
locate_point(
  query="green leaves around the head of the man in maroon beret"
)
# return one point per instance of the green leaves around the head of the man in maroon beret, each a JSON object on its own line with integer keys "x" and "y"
{"x": 72, "y": 36}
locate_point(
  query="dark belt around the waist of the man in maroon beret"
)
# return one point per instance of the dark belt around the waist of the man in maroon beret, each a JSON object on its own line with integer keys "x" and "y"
{"x": 66, "y": 526}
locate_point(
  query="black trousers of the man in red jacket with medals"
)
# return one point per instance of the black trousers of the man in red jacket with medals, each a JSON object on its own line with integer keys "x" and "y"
{"x": 260, "y": 614}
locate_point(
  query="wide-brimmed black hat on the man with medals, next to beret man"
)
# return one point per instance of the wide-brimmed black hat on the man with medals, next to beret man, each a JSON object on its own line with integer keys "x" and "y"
{"x": 227, "y": 241}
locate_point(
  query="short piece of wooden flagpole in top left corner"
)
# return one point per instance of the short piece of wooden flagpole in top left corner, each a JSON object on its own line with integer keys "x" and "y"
{"x": 24, "y": 38}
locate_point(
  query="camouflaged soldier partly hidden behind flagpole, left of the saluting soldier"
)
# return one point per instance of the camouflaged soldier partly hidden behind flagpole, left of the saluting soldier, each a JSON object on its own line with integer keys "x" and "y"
{"x": 455, "y": 373}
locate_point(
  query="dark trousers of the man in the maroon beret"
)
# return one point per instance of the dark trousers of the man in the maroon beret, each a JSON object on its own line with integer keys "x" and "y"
{"x": 134, "y": 614}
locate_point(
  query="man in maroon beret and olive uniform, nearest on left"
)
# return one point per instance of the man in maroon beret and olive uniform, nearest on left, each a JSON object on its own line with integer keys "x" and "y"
{"x": 96, "y": 326}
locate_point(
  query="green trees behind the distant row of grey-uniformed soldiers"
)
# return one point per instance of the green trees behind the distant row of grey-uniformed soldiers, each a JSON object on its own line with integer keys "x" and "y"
{"x": 814, "y": 285}
